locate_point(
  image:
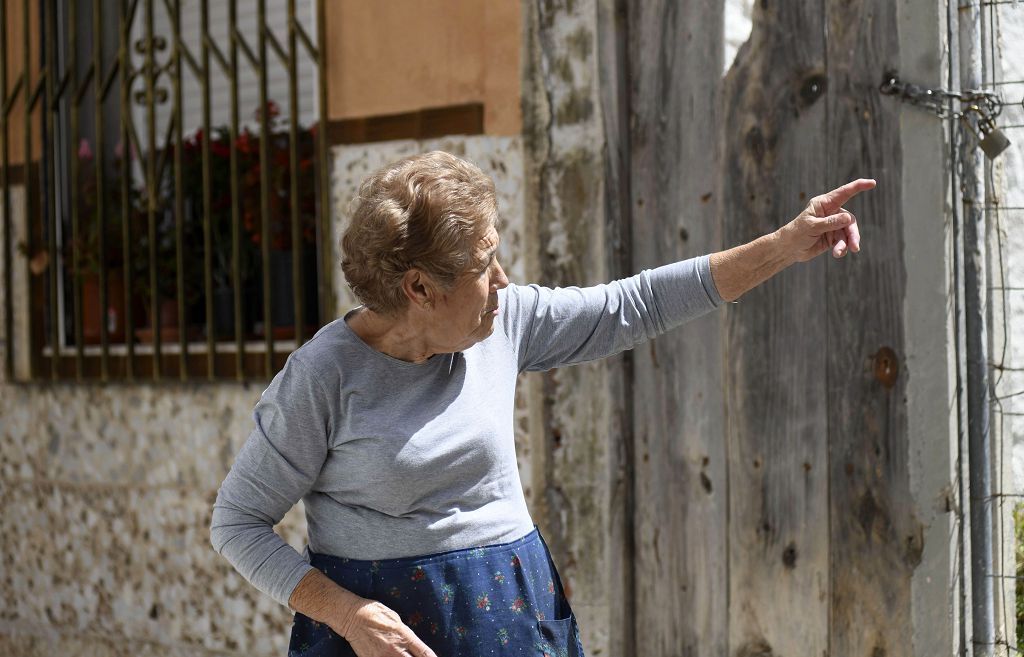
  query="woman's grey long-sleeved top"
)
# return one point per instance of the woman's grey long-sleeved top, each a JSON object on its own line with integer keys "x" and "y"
{"x": 397, "y": 460}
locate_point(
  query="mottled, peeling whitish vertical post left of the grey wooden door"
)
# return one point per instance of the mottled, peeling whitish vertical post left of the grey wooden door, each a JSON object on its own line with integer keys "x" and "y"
{"x": 576, "y": 464}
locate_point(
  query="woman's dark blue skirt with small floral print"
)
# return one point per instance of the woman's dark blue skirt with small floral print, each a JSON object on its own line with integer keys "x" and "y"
{"x": 499, "y": 600}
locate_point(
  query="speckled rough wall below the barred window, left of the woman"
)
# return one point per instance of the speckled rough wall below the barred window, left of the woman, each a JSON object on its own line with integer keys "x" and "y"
{"x": 107, "y": 496}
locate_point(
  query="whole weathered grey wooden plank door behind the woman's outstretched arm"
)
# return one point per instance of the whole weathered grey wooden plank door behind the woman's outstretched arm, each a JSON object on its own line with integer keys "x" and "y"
{"x": 773, "y": 515}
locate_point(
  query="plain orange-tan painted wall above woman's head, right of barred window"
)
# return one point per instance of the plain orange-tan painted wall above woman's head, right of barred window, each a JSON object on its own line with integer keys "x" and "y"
{"x": 391, "y": 58}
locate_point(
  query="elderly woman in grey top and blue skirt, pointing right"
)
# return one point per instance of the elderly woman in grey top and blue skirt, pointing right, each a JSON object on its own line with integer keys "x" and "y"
{"x": 394, "y": 424}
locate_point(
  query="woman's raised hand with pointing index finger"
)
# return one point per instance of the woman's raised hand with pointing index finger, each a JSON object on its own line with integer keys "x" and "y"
{"x": 825, "y": 225}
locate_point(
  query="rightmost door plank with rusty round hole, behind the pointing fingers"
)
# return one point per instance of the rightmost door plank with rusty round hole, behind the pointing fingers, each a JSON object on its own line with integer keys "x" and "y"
{"x": 876, "y": 539}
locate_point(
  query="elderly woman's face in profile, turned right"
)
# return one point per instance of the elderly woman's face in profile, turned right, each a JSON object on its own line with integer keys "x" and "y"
{"x": 465, "y": 315}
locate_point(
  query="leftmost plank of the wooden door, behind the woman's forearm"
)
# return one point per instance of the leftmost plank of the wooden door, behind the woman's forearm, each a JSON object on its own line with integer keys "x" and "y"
{"x": 675, "y": 53}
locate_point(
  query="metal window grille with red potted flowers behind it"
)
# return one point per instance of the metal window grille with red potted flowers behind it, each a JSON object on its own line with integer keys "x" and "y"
{"x": 144, "y": 248}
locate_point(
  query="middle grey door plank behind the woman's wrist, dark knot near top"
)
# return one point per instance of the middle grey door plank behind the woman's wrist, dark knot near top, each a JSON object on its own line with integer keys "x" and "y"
{"x": 774, "y": 129}
